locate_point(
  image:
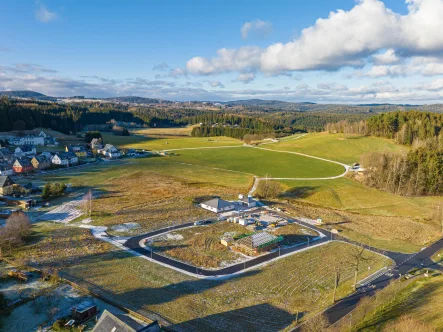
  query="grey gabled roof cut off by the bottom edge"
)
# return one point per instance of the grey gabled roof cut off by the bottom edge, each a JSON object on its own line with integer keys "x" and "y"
{"x": 122, "y": 323}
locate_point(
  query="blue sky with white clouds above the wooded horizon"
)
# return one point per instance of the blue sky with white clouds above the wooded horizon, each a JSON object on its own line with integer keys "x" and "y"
{"x": 323, "y": 51}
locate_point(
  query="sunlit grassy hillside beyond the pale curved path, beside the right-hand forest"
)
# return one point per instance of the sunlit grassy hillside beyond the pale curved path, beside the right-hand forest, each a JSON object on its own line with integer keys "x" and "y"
{"x": 339, "y": 147}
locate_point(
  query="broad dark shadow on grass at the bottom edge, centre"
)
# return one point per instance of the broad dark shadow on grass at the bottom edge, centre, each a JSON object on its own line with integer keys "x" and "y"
{"x": 261, "y": 318}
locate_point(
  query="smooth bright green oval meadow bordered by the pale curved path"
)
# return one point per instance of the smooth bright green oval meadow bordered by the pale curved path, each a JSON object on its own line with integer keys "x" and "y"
{"x": 260, "y": 162}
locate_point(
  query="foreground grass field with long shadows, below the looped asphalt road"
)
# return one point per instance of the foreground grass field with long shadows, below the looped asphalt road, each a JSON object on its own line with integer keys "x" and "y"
{"x": 261, "y": 300}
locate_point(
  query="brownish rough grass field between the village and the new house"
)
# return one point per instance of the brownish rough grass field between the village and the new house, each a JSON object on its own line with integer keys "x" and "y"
{"x": 153, "y": 192}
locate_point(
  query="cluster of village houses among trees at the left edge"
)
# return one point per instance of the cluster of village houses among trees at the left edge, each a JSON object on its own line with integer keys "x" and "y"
{"x": 25, "y": 158}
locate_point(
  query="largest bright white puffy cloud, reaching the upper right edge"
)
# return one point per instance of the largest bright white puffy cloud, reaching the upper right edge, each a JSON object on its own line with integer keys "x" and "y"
{"x": 351, "y": 38}
